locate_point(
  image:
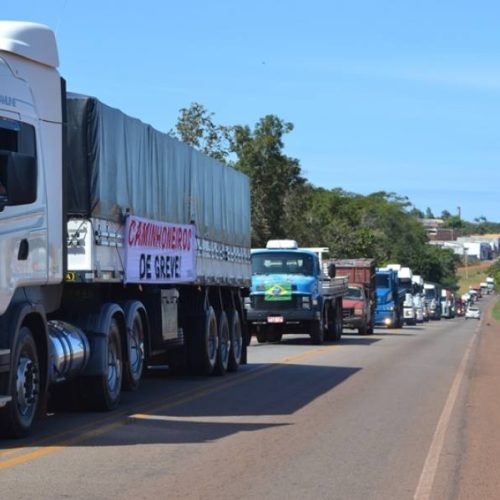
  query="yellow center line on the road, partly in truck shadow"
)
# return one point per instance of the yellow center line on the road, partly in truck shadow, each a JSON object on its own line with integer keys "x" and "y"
{"x": 155, "y": 407}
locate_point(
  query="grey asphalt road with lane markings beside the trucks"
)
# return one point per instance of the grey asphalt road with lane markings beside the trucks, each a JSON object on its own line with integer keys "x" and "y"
{"x": 372, "y": 417}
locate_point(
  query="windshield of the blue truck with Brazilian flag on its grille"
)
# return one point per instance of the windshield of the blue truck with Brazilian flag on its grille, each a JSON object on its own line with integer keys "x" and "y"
{"x": 282, "y": 263}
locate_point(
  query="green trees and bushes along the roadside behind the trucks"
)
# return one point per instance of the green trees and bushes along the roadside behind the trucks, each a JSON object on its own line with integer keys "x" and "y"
{"x": 381, "y": 225}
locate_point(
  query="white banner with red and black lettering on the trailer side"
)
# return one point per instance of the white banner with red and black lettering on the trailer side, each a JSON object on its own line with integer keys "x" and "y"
{"x": 159, "y": 252}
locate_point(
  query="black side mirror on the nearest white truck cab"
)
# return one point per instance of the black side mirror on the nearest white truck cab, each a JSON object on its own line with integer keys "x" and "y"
{"x": 18, "y": 179}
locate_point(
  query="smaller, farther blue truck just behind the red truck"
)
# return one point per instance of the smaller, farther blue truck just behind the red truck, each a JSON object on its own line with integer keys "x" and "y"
{"x": 390, "y": 298}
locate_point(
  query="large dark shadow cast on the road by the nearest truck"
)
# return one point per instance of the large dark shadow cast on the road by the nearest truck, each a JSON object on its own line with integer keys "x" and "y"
{"x": 259, "y": 397}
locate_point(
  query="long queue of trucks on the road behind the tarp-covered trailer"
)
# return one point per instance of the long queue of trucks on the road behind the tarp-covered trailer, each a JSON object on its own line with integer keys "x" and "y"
{"x": 302, "y": 290}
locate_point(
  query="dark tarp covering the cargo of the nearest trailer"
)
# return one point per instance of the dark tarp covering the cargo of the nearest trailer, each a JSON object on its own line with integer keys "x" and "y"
{"x": 115, "y": 163}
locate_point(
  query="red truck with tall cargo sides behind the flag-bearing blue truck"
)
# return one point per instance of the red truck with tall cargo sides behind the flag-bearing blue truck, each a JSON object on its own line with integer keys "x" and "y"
{"x": 358, "y": 307}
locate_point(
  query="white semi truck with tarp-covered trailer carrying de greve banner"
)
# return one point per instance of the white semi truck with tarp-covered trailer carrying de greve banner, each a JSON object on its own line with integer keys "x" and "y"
{"x": 121, "y": 247}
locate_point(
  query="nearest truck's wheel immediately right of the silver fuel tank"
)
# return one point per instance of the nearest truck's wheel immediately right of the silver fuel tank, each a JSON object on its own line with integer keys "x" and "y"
{"x": 103, "y": 391}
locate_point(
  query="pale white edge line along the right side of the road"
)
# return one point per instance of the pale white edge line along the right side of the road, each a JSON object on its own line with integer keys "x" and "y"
{"x": 428, "y": 475}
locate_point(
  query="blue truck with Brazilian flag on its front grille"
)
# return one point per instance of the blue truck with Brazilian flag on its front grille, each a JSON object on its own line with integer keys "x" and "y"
{"x": 294, "y": 290}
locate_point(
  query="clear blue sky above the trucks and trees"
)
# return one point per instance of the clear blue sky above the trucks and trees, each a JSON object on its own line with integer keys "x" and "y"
{"x": 401, "y": 96}
